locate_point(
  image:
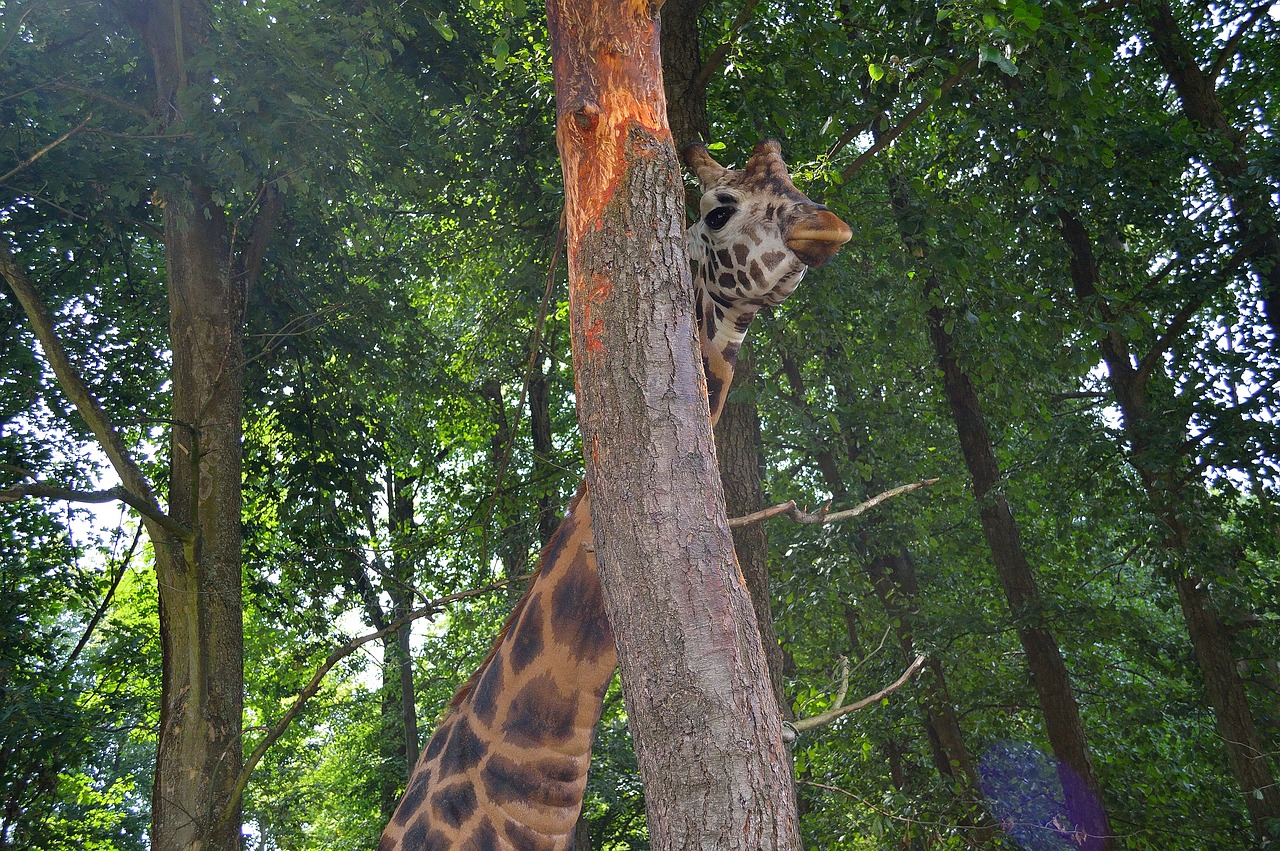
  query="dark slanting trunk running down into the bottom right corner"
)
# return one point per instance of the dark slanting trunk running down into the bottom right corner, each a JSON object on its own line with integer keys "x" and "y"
{"x": 1155, "y": 432}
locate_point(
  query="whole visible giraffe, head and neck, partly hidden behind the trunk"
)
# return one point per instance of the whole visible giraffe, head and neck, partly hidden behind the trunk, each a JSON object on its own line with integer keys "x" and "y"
{"x": 506, "y": 770}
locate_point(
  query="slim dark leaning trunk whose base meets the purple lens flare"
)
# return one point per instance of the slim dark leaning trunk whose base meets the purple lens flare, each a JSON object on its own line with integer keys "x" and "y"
{"x": 1081, "y": 786}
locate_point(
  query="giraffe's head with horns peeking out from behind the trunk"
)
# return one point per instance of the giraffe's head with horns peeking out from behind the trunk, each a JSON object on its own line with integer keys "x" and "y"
{"x": 757, "y": 234}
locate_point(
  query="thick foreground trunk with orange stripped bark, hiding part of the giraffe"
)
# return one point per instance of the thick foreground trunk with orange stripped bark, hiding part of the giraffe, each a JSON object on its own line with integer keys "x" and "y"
{"x": 706, "y": 724}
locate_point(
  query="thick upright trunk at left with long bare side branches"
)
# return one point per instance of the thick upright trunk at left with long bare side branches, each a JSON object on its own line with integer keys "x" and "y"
{"x": 199, "y": 752}
